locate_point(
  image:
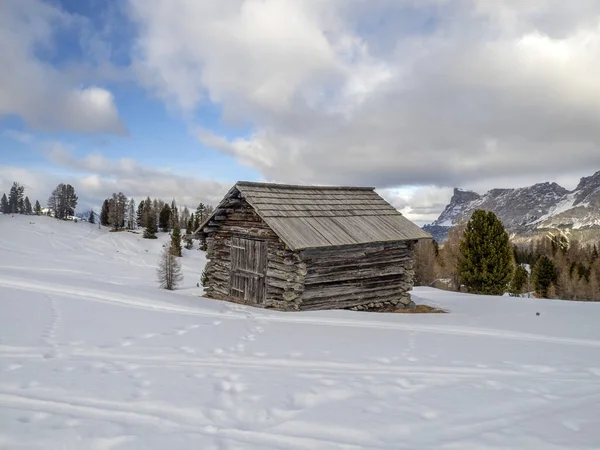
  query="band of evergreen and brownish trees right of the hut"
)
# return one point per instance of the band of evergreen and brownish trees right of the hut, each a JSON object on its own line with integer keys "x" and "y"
{"x": 479, "y": 258}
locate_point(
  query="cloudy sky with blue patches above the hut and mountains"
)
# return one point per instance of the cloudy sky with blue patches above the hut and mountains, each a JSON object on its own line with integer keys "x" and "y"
{"x": 181, "y": 98}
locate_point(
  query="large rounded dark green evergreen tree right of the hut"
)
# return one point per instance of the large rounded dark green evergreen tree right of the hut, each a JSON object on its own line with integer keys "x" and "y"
{"x": 486, "y": 263}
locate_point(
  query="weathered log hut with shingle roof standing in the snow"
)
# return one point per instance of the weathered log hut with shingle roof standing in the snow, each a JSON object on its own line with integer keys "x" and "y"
{"x": 306, "y": 247}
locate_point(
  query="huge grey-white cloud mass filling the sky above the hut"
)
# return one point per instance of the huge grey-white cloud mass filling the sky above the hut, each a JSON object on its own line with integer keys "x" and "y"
{"x": 390, "y": 93}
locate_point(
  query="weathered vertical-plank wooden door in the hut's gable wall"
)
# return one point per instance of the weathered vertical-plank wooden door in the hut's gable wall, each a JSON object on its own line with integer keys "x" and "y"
{"x": 248, "y": 269}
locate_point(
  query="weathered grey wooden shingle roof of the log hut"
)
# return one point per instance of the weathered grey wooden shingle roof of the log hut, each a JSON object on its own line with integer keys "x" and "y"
{"x": 321, "y": 216}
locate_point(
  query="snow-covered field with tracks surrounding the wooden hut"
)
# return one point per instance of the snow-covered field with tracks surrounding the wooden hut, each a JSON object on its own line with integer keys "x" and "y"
{"x": 94, "y": 356}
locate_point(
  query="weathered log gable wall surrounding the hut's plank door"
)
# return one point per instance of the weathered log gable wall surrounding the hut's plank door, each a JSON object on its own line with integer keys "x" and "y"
{"x": 285, "y": 271}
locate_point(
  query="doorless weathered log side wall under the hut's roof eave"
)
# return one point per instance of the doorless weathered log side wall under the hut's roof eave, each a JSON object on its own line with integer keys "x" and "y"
{"x": 372, "y": 276}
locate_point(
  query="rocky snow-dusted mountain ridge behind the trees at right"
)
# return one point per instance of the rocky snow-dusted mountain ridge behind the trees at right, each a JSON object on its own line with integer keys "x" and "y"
{"x": 537, "y": 207}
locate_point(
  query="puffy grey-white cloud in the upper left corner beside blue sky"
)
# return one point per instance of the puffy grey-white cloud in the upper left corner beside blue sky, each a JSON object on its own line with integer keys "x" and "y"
{"x": 45, "y": 97}
